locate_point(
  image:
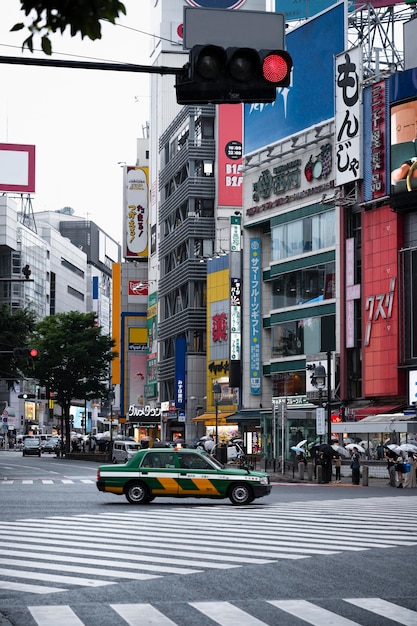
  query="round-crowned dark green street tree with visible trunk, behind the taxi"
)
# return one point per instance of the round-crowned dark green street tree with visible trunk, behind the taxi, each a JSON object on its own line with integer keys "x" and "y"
{"x": 73, "y": 361}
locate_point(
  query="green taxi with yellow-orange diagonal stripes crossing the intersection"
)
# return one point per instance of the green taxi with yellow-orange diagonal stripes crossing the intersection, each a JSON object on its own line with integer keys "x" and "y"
{"x": 183, "y": 473}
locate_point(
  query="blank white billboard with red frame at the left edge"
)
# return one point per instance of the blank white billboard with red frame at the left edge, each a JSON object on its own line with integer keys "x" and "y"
{"x": 17, "y": 168}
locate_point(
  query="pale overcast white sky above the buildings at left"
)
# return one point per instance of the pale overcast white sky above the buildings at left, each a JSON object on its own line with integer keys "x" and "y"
{"x": 84, "y": 123}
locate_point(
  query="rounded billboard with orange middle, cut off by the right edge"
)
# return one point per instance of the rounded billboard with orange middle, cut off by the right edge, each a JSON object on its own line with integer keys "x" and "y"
{"x": 403, "y": 143}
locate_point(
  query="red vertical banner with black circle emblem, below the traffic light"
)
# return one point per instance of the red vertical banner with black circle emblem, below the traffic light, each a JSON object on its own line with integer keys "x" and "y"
{"x": 230, "y": 156}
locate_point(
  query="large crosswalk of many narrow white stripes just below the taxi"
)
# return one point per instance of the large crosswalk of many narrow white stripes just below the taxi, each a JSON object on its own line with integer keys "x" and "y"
{"x": 96, "y": 550}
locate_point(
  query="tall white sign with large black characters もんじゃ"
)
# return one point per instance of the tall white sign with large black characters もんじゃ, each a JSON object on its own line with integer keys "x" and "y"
{"x": 348, "y": 149}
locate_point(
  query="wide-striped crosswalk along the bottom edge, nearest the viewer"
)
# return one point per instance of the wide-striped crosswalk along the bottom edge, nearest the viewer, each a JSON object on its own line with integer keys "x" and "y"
{"x": 229, "y": 614}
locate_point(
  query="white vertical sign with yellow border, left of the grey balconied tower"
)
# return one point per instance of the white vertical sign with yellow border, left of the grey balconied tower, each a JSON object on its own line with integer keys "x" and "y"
{"x": 136, "y": 205}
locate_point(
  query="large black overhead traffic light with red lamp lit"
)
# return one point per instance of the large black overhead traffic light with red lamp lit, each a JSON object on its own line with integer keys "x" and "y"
{"x": 232, "y": 75}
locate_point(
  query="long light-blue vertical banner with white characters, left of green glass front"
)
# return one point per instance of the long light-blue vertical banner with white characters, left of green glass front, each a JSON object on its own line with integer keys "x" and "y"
{"x": 255, "y": 318}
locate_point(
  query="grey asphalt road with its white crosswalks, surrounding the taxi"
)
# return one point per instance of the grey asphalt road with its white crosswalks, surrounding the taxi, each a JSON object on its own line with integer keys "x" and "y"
{"x": 305, "y": 554}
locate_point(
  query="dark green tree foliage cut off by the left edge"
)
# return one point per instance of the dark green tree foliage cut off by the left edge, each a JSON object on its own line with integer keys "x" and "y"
{"x": 15, "y": 330}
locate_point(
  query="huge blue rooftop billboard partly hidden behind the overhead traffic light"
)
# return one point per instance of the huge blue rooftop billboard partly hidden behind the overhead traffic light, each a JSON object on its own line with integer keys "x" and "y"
{"x": 310, "y": 97}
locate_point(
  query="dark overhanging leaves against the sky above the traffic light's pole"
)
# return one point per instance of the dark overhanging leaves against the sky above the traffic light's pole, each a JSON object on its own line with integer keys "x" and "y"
{"x": 81, "y": 16}
